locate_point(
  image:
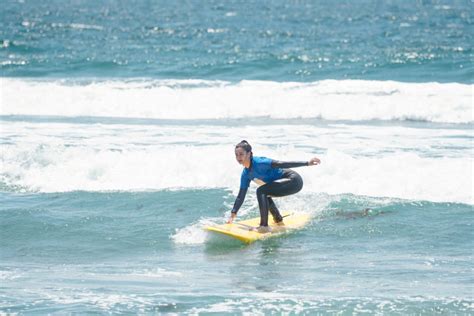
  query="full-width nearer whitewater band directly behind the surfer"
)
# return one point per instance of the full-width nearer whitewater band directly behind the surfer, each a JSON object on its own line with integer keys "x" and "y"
{"x": 372, "y": 160}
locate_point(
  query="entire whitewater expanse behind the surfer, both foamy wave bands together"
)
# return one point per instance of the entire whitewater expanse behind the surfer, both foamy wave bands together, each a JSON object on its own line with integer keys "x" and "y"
{"x": 375, "y": 138}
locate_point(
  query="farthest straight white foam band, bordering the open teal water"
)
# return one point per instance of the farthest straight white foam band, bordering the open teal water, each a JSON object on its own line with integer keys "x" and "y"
{"x": 198, "y": 99}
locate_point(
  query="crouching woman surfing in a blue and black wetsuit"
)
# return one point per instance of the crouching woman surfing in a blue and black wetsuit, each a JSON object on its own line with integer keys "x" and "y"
{"x": 274, "y": 180}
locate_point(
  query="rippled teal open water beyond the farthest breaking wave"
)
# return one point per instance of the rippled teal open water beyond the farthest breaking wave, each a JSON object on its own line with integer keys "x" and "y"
{"x": 233, "y": 40}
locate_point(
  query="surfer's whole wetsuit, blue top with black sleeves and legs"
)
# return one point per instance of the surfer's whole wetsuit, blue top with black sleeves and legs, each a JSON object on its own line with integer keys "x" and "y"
{"x": 281, "y": 182}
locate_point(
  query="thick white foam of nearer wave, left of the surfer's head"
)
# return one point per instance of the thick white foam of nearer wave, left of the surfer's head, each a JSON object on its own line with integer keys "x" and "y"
{"x": 56, "y": 169}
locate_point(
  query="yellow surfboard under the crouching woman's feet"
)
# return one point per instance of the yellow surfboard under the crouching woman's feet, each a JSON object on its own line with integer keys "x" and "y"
{"x": 244, "y": 230}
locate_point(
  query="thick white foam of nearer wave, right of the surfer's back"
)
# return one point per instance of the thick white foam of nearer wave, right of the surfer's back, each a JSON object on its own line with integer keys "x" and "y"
{"x": 402, "y": 175}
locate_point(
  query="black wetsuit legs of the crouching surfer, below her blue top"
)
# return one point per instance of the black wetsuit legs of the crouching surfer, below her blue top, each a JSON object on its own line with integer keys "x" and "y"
{"x": 289, "y": 184}
